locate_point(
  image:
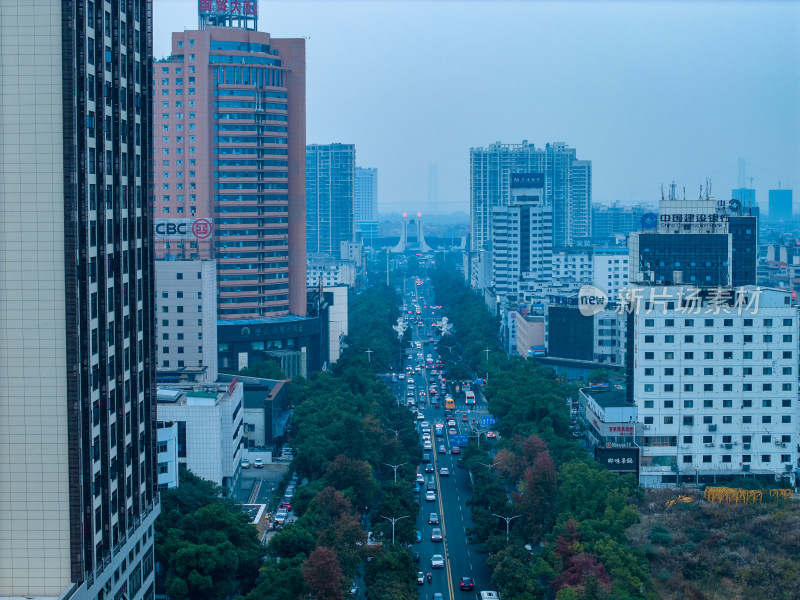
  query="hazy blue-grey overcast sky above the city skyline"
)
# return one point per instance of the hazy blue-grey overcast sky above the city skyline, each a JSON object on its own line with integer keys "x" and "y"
{"x": 650, "y": 92}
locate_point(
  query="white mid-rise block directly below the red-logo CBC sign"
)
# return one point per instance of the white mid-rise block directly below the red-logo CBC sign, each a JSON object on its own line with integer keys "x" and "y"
{"x": 186, "y": 315}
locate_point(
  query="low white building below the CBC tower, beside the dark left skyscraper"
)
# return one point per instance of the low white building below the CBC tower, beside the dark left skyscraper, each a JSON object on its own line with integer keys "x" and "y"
{"x": 208, "y": 418}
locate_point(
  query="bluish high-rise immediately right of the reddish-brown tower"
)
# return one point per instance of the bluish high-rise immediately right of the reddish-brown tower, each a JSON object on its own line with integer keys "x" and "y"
{"x": 330, "y": 196}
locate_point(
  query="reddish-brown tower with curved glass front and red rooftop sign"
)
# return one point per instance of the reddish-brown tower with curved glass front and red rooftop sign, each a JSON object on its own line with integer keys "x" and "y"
{"x": 229, "y": 112}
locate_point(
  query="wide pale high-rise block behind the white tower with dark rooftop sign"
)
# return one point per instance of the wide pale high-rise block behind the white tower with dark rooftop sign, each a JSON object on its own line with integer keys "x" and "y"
{"x": 567, "y": 187}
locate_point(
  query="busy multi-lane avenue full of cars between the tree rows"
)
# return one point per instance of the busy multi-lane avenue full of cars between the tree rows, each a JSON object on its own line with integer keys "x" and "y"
{"x": 448, "y": 564}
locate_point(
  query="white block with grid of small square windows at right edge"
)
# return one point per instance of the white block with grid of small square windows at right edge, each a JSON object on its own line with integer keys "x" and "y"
{"x": 714, "y": 378}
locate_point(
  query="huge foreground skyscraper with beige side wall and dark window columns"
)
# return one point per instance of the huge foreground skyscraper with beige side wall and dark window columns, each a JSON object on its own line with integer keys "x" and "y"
{"x": 78, "y": 476}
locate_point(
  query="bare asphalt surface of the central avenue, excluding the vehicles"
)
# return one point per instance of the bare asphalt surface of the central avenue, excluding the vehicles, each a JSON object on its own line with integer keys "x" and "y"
{"x": 454, "y": 490}
